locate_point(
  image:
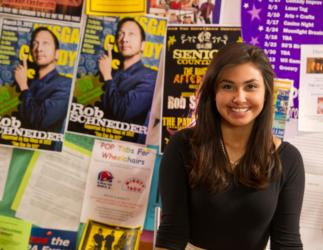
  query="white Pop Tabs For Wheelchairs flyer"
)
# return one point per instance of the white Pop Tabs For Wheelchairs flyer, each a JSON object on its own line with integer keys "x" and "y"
{"x": 118, "y": 184}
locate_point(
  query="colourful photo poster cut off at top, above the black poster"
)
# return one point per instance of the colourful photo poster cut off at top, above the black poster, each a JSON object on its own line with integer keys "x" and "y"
{"x": 187, "y": 11}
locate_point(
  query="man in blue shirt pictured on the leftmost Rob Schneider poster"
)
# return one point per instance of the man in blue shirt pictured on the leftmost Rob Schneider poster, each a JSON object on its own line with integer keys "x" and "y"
{"x": 44, "y": 99}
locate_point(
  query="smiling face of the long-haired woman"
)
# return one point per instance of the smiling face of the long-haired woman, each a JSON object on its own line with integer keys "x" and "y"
{"x": 240, "y": 95}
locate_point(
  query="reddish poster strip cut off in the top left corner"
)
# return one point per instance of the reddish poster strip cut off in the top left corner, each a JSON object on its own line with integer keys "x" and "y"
{"x": 63, "y": 10}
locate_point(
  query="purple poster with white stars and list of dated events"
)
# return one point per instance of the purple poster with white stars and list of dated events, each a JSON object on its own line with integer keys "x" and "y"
{"x": 280, "y": 27}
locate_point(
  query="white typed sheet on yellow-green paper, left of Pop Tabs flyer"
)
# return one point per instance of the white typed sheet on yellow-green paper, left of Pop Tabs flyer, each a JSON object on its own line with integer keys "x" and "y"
{"x": 52, "y": 190}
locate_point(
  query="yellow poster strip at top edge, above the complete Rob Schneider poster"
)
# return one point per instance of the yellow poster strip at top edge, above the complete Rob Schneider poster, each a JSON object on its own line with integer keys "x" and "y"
{"x": 115, "y": 7}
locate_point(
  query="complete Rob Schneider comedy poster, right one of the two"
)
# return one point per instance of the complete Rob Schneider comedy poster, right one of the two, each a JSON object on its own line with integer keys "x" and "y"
{"x": 116, "y": 77}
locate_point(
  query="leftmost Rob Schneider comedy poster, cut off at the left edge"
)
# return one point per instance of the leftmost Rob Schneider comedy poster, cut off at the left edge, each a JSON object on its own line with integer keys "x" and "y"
{"x": 36, "y": 65}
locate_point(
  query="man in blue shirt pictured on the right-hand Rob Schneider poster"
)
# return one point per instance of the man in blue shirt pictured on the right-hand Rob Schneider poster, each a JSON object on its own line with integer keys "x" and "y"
{"x": 129, "y": 90}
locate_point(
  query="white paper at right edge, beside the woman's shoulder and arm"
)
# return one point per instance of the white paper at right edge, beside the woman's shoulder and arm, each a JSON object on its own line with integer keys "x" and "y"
{"x": 311, "y": 224}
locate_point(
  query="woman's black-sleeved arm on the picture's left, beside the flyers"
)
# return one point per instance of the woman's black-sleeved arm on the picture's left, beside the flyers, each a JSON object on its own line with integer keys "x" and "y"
{"x": 173, "y": 230}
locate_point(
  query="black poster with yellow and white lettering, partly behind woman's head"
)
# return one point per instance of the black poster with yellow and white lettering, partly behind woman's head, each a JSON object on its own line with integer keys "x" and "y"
{"x": 189, "y": 51}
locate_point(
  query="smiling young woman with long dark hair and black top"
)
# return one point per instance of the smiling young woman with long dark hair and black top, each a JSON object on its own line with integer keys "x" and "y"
{"x": 228, "y": 183}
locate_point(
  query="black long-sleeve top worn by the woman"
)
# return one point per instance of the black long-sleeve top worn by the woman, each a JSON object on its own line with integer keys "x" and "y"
{"x": 240, "y": 218}
